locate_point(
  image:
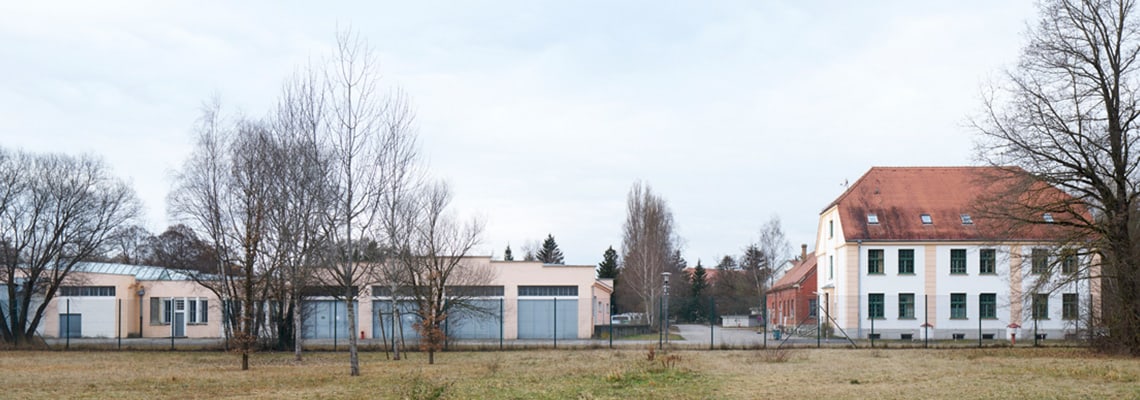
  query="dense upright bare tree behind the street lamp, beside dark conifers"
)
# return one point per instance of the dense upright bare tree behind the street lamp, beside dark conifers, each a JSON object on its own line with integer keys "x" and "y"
{"x": 648, "y": 243}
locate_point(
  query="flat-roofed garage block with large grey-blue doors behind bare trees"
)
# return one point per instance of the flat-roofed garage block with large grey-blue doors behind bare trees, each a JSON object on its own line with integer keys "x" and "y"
{"x": 524, "y": 300}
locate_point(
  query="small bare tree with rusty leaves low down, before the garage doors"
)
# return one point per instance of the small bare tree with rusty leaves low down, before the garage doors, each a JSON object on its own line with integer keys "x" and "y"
{"x": 436, "y": 265}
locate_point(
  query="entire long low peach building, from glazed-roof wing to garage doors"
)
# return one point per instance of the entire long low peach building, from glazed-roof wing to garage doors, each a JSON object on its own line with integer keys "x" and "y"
{"x": 522, "y": 300}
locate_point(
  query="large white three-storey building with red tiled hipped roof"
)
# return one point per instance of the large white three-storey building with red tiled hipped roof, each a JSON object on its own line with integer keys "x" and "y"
{"x": 903, "y": 249}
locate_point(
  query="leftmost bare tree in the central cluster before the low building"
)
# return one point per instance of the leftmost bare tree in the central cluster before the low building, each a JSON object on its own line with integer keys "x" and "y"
{"x": 225, "y": 190}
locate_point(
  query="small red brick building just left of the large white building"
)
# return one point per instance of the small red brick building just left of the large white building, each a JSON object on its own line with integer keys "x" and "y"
{"x": 793, "y": 300}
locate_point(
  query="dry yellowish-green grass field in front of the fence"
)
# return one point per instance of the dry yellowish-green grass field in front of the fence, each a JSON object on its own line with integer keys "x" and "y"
{"x": 577, "y": 374}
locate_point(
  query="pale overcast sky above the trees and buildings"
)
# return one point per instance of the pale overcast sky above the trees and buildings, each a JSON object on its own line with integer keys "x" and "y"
{"x": 542, "y": 116}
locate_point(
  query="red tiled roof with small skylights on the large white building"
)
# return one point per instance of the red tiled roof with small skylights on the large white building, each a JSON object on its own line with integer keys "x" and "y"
{"x": 899, "y": 198}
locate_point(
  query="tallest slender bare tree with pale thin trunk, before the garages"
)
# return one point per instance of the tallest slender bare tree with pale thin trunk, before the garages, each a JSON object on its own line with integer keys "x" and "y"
{"x": 371, "y": 145}
